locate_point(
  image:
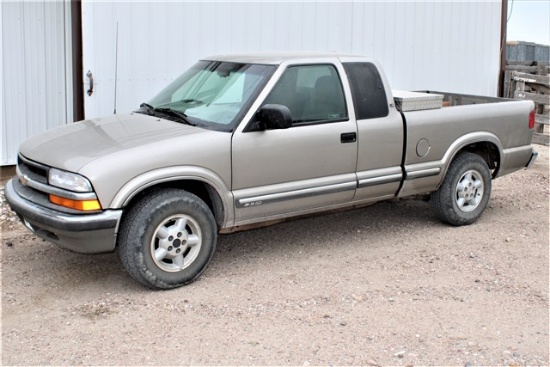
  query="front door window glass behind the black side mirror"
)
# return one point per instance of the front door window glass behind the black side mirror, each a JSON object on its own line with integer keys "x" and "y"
{"x": 312, "y": 93}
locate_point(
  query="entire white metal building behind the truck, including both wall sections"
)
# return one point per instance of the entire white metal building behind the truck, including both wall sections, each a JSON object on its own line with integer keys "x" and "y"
{"x": 438, "y": 45}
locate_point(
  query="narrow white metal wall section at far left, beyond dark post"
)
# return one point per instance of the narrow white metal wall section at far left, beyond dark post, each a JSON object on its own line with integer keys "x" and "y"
{"x": 34, "y": 90}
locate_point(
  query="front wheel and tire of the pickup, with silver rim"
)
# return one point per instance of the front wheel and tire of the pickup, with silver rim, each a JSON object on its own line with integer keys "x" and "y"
{"x": 167, "y": 239}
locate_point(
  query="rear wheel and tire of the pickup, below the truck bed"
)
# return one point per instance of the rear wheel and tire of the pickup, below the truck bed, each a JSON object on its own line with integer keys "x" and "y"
{"x": 465, "y": 191}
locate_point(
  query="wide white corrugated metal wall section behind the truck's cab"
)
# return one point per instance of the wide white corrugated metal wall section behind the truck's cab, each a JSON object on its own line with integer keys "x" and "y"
{"x": 441, "y": 45}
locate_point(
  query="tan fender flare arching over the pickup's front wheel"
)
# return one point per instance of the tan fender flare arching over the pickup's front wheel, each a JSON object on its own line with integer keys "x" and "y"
{"x": 179, "y": 173}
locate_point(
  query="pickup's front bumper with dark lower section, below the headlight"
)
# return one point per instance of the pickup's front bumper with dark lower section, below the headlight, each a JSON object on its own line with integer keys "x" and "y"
{"x": 84, "y": 233}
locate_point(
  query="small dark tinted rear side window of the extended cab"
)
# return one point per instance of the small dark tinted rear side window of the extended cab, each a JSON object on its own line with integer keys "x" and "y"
{"x": 367, "y": 89}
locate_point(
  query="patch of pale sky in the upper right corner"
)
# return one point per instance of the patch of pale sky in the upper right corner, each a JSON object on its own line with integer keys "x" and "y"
{"x": 529, "y": 21}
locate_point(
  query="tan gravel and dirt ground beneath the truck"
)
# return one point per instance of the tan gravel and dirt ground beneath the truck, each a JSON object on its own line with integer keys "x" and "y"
{"x": 382, "y": 285}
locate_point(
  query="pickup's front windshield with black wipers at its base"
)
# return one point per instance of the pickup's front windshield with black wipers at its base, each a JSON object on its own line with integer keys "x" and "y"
{"x": 211, "y": 94}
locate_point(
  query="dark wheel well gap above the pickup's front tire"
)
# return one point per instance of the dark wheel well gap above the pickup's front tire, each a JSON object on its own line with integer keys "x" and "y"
{"x": 204, "y": 191}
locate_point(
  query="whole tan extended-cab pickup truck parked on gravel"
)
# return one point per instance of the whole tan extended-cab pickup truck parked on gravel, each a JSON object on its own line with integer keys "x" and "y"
{"x": 241, "y": 140}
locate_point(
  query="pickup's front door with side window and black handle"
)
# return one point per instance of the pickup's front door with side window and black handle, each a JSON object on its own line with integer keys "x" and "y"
{"x": 283, "y": 172}
